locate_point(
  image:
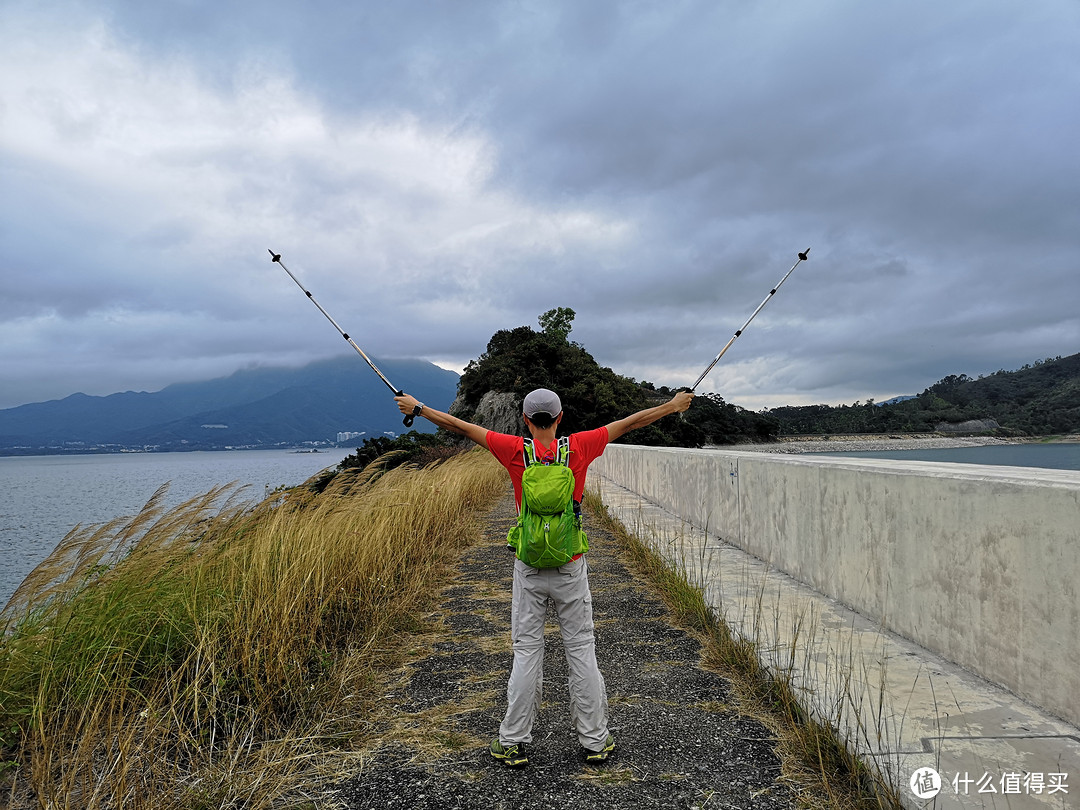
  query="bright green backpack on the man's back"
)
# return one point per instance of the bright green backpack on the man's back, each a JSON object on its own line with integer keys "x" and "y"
{"x": 549, "y": 525}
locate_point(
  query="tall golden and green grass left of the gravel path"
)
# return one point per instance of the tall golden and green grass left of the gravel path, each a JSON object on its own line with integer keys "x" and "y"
{"x": 211, "y": 655}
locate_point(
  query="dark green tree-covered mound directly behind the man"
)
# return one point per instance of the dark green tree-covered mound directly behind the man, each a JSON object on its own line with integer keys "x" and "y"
{"x": 520, "y": 360}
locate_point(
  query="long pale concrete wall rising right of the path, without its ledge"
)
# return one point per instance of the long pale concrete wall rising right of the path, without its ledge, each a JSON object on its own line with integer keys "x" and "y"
{"x": 979, "y": 564}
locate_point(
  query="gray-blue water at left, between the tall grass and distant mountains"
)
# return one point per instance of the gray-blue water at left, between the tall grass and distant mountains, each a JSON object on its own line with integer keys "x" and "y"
{"x": 45, "y": 497}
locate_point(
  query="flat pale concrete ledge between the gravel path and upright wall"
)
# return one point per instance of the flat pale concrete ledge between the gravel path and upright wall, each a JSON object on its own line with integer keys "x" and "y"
{"x": 907, "y": 709}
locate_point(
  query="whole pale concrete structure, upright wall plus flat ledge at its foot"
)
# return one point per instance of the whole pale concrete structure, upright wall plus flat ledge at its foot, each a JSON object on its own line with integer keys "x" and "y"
{"x": 897, "y": 703}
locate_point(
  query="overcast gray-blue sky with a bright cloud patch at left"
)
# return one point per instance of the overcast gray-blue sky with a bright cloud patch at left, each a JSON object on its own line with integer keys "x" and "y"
{"x": 435, "y": 172}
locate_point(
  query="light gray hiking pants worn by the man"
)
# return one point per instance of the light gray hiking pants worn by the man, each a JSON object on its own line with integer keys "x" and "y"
{"x": 568, "y": 588}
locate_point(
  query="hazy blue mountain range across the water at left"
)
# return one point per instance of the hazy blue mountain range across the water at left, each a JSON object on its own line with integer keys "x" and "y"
{"x": 252, "y": 409}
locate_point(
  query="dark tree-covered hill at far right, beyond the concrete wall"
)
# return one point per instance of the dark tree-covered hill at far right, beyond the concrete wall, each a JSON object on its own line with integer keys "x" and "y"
{"x": 1041, "y": 399}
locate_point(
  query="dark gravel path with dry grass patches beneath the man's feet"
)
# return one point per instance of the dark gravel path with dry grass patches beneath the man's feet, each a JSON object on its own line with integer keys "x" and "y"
{"x": 681, "y": 744}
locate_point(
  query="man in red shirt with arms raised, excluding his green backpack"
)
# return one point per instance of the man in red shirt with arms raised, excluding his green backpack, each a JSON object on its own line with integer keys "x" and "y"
{"x": 568, "y": 587}
